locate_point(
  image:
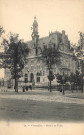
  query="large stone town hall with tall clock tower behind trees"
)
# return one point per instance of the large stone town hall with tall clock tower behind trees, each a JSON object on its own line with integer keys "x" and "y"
{"x": 35, "y": 70}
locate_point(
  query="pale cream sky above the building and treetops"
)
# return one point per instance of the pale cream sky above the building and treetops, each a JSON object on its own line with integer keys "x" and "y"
{"x": 17, "y": 16}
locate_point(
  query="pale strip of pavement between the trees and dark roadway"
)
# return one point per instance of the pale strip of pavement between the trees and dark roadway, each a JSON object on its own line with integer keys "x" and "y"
{"x": 45, "y": 95}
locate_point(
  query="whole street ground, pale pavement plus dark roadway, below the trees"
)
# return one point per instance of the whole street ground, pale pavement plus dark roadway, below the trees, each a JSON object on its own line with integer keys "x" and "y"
{"x": 41, "y": 105}
